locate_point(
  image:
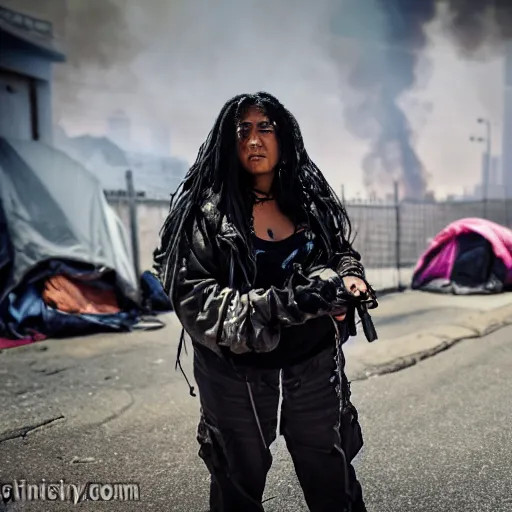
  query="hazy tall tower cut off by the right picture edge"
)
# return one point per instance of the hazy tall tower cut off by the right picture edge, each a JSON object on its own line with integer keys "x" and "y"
{"x": 506, "y": 164}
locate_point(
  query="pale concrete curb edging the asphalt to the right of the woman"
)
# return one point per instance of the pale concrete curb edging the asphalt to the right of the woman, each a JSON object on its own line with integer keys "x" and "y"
{"x": 406, "y": 351}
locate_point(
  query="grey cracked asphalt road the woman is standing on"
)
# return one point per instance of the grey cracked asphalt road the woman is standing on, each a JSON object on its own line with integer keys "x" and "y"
{"x": 438, "y": 435}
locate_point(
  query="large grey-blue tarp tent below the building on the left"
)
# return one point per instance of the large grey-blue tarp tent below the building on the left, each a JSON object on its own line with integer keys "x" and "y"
{"x": 55, "y": 220}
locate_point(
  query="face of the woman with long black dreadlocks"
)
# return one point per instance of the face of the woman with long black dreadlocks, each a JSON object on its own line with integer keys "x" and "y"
{"x": 258, "y": 149}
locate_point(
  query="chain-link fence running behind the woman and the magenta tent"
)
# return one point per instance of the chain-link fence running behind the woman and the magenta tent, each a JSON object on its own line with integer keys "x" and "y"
{"x": 390, "y": 236}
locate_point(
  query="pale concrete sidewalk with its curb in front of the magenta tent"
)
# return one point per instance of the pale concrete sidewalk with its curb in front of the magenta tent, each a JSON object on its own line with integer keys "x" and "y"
{"x": 414, "y": 325}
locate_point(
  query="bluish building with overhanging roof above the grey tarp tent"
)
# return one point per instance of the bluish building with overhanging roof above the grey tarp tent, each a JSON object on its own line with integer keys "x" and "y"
{"x": 28, "y": 51}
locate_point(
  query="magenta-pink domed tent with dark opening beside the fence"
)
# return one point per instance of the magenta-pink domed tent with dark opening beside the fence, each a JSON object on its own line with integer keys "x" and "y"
{"x": 469, "y": 256}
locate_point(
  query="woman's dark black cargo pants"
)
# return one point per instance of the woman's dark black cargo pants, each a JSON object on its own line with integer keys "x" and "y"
{"x": 322, "y": 438}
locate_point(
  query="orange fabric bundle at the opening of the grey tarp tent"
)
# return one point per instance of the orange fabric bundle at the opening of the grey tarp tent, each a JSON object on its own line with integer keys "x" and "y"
{"x": 76, "y": 297}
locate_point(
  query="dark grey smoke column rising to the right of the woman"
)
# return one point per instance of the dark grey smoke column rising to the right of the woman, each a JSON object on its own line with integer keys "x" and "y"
{"x": 387, "y": 55}
